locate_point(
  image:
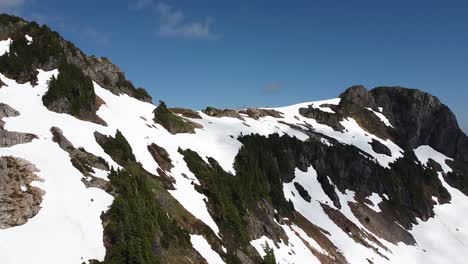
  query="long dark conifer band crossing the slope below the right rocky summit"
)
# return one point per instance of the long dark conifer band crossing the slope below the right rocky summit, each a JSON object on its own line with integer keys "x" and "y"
{"x": 264, "y": 163}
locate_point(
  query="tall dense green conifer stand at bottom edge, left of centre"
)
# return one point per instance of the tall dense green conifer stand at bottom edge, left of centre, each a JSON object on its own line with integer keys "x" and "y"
{"x": 137, "y": 224}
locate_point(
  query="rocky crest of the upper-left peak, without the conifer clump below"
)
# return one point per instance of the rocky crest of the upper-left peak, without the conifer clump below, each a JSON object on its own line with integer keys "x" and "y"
{"x": 49, "y": 49}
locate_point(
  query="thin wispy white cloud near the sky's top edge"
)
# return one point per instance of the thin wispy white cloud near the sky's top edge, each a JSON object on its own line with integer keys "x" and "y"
{"x": 173, "y": 22}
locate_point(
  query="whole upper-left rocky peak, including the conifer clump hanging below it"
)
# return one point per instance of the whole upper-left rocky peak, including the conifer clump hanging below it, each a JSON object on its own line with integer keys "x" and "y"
{"x": 72, "y": 91}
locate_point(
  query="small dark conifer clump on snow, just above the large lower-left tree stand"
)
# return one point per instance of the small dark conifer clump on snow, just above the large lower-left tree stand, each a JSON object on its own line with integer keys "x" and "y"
{"x": 118, "y": 148}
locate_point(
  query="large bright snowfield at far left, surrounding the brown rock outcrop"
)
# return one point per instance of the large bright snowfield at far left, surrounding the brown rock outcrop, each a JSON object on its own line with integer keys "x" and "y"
{"x": 68, "y": 227}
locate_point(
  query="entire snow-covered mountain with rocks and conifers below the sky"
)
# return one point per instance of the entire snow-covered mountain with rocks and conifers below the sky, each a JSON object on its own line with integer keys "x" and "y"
{"x": 92, "y": 171}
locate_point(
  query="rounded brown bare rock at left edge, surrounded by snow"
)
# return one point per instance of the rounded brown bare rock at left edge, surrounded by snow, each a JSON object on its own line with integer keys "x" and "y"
{"x": 19, "y": 200}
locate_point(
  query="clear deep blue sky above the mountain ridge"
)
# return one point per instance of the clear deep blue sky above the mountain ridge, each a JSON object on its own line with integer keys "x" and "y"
{"x": 269, "y": 53}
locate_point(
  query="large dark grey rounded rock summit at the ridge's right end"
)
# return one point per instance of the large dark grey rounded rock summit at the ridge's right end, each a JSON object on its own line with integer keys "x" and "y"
{"x": 419, "y": 118}
